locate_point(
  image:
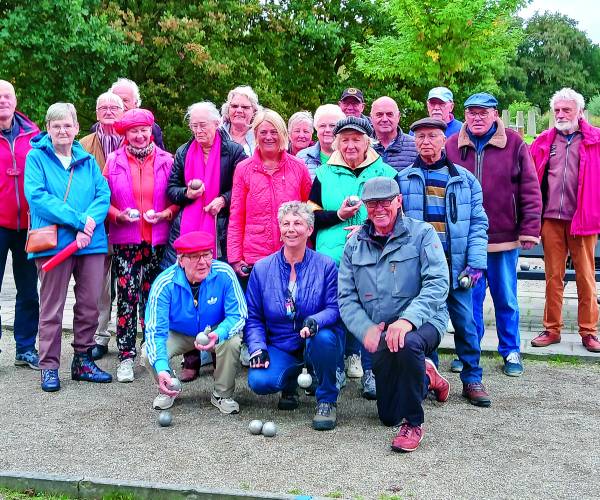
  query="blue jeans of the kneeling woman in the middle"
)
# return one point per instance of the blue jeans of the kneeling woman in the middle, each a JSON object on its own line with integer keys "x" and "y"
{"x": 323, "y": 352}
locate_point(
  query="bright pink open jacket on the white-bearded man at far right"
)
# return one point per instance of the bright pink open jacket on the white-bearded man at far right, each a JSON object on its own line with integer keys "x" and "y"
{"x": 586, "y": 219}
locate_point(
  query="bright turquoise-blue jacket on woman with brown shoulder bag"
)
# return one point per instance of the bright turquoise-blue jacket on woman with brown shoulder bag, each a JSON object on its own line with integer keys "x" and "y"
{"x": 45, "y": 185}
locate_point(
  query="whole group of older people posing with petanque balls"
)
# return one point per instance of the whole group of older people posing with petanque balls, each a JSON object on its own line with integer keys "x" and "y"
{"x": 345, "y": 256}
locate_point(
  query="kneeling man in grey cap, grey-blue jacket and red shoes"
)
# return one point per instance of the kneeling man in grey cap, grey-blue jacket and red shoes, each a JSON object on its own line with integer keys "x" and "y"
{"x": 392, "y": 289}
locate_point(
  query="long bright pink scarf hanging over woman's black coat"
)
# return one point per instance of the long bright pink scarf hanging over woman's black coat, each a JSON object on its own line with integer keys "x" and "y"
{"x": 194, "y": 218}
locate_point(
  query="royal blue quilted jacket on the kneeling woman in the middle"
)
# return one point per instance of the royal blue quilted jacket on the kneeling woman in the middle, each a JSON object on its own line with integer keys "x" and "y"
{"x": 316, "y": 285}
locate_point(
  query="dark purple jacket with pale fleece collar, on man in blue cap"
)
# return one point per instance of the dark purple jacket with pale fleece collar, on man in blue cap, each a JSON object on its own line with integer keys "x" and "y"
{"x": 511, "y": 191}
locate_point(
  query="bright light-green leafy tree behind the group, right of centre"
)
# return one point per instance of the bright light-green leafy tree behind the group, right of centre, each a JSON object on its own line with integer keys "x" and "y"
{"x": 462, "y": 44}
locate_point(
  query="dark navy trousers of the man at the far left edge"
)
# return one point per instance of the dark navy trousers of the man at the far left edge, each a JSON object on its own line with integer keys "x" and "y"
{"x": 27, "y": 305}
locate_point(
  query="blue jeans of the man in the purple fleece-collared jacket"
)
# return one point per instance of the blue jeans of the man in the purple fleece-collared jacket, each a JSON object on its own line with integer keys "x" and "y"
{"x": 501, "y": 276}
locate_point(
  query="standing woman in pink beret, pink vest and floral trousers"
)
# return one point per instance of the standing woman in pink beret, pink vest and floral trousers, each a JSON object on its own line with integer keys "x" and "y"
{"x": 139, "y": 215}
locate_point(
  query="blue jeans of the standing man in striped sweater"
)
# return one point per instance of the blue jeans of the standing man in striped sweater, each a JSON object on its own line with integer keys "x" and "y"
{"x": 466, "y": 339}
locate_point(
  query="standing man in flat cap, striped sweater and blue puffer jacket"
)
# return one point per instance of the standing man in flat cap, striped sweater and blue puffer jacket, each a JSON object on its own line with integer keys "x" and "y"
{"x": 449, "y": 198}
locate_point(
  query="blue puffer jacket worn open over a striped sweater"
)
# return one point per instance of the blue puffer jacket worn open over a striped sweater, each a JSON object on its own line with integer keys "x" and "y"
{"x": 466, "y": 220}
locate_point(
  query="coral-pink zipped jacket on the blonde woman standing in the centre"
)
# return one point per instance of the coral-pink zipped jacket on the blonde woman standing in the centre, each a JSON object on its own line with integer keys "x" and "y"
{"x": 255, "y": 198}
